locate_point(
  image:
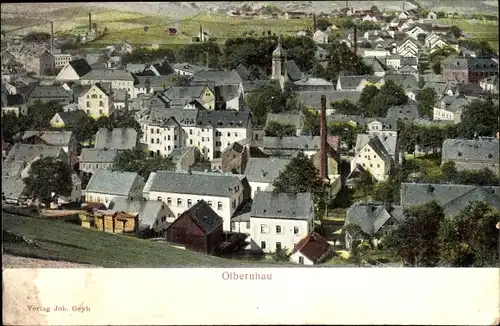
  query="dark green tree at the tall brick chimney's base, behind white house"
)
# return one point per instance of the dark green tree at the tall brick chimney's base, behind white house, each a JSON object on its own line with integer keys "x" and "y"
{"x": 300, "y": 175}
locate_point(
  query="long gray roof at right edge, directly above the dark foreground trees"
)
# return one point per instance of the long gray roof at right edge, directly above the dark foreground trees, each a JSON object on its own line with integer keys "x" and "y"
{"x": 453, "y": 197}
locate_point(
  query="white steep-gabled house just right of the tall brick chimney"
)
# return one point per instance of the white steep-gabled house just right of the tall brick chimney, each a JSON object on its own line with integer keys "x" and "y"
{"x": 375, "y": 153}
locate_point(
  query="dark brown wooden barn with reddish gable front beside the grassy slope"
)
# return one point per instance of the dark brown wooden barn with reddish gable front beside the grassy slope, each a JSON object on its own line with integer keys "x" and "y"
{"x": 198, "y": 229}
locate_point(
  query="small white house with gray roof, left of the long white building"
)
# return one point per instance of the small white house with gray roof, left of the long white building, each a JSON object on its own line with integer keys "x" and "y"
{"x": 105, "y": 186}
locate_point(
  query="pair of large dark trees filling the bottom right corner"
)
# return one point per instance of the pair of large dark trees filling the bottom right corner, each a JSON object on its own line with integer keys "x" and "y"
{"x": 427, "y": 238}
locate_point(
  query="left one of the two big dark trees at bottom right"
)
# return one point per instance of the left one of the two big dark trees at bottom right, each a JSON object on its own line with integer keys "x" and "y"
{"x": 415, "y": 240}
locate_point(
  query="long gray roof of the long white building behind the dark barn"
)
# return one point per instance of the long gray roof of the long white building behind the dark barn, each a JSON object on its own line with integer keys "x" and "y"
{"x": 194, "y": 184}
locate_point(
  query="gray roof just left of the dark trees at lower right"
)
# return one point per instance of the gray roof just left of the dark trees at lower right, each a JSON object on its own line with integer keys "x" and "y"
{"x": 371, "y": 217}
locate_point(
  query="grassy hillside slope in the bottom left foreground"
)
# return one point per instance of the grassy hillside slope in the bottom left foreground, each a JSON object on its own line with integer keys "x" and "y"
{"x": 64, "y": 241}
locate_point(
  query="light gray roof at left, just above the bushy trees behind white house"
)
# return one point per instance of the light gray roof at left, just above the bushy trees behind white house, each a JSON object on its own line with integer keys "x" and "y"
{"x": 118, "y": 138}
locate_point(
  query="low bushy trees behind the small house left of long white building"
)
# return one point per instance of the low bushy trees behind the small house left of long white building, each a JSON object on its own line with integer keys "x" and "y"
{"x": 138, "y": 160}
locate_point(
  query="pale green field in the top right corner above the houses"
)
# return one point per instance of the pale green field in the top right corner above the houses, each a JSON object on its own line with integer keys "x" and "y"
{"x": 480, "y": 30}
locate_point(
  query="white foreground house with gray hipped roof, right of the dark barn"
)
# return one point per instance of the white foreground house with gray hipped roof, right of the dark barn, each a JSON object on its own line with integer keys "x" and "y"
{"x": 278, "y": 221}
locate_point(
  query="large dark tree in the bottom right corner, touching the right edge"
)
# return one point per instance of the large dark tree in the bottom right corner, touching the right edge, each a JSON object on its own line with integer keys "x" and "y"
{"x": 470, "y": 238}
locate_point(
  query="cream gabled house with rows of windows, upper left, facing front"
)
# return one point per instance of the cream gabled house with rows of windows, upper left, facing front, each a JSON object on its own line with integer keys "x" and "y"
{"x": 96, "y": 101}
